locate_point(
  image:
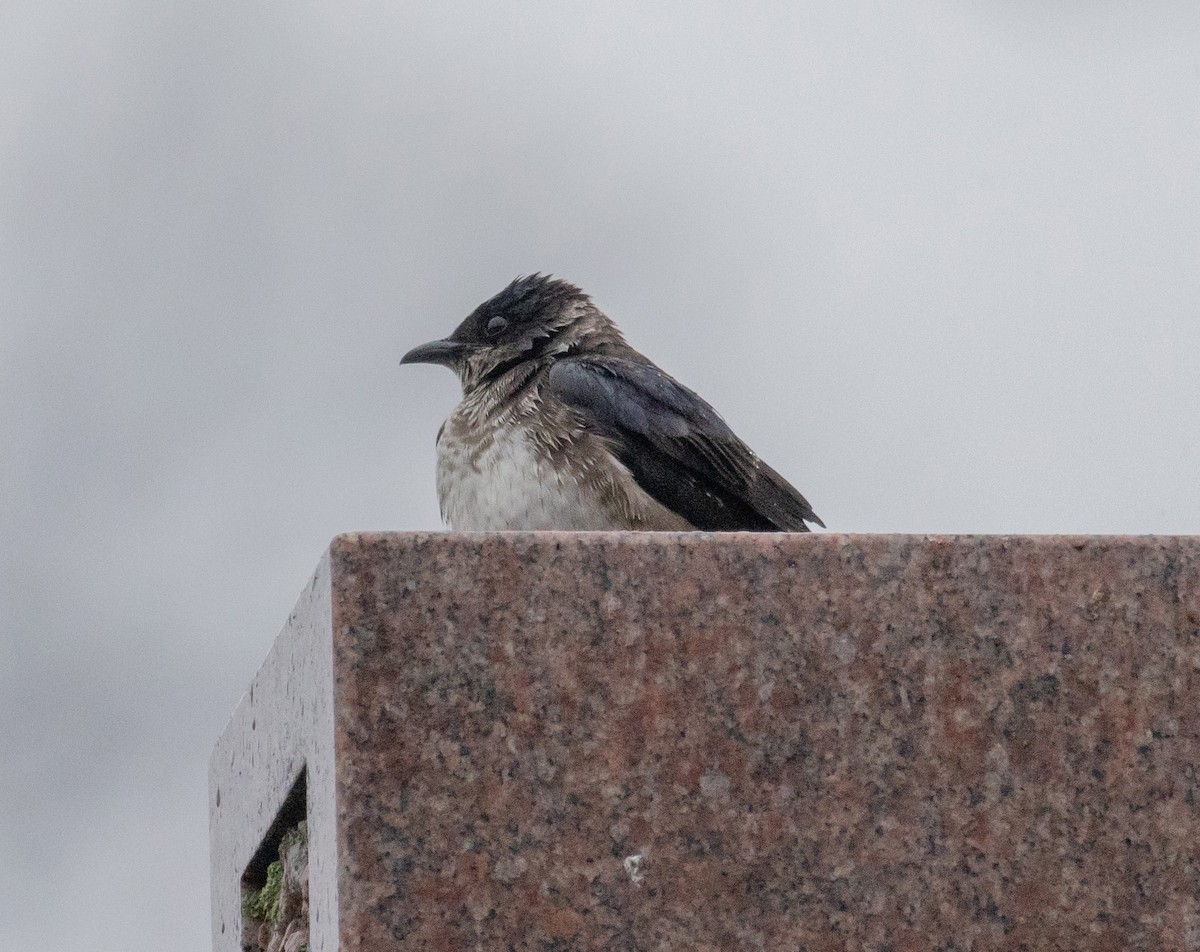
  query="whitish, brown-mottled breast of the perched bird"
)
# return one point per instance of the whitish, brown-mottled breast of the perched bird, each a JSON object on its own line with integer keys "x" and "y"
{"x": 505, "y": 483}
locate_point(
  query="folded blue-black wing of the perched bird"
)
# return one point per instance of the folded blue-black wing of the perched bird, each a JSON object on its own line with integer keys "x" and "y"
{"x": 677, "y": 447}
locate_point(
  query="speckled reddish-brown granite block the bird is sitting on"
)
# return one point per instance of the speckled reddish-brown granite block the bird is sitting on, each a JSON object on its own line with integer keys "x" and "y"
{"x": 724, "y": 743}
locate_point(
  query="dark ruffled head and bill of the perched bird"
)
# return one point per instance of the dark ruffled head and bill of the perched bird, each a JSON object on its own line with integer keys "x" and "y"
{"x": 535, "y": 320}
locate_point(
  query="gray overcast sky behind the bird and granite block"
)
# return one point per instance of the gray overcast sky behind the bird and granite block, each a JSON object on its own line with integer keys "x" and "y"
{"x": 938, "y": 262}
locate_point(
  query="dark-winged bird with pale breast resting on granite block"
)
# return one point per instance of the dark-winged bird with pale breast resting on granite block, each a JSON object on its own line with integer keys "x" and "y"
{"x": 563, "y": 426}
